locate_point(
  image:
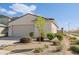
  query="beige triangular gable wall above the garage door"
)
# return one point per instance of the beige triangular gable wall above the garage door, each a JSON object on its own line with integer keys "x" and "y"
{"x": 26, "y": 19}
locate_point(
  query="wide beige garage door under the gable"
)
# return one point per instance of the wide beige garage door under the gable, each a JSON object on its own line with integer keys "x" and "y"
{"x": 22, "y": 30}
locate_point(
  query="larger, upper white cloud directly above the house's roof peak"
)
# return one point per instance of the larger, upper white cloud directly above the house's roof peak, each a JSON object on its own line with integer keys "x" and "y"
{"x": 22, "y": 8}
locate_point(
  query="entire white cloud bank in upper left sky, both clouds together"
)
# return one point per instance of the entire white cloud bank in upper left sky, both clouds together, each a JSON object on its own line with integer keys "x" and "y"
{"x": 18, "y": 8}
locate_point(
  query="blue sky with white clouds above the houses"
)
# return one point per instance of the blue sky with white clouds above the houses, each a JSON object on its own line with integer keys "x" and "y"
{"x": 66, "y": 15}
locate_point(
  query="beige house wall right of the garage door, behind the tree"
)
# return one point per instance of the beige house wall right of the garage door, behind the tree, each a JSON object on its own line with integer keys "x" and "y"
{"x": 49, "y": 27}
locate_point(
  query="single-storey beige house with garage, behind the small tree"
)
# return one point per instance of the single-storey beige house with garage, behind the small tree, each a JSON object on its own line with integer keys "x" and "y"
{"x": 23, "y": 25}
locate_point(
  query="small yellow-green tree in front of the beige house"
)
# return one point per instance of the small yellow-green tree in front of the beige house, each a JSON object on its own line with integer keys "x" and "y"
{"x": 40, "y": 24}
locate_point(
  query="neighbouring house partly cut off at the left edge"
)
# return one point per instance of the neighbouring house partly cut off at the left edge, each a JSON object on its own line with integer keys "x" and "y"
{"x": 4, "y": 21}
